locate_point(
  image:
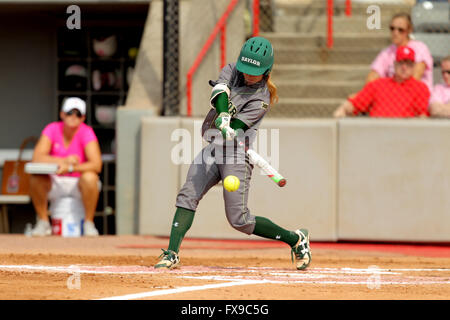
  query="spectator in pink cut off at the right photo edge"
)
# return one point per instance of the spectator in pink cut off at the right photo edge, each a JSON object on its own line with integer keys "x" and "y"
{"x": 440, "y": 98}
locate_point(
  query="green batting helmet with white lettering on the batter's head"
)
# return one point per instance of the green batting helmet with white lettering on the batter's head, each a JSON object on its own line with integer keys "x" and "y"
{"x": 256, "y": 57}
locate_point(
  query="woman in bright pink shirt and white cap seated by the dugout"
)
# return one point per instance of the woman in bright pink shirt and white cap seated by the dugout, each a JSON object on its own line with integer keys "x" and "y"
{"x": 73, "y": 145}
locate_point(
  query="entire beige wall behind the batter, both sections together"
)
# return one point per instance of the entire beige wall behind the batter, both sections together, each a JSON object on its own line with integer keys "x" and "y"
{"x": 352, "y": 179}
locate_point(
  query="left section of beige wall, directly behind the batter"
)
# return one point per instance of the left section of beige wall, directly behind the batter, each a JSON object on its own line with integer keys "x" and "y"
{"x": 307, "y": 157}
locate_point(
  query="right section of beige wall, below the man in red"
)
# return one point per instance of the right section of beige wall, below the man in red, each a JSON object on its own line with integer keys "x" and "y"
{"x": 394, "y": 180}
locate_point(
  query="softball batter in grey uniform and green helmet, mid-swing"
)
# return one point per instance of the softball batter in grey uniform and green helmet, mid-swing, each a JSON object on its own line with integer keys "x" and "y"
{"x": 240, "y": 99}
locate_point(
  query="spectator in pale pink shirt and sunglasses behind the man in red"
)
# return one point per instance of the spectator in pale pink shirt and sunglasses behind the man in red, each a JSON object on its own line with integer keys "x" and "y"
{"x": 383, "y": 65}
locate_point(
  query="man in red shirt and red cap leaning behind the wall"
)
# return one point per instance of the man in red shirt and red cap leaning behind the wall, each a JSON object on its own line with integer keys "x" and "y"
{"x": 401, "y": 96}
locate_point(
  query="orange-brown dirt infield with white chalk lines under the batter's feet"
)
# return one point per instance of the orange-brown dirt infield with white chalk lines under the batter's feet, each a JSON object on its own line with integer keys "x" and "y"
{"x": 120, "y": 267}
